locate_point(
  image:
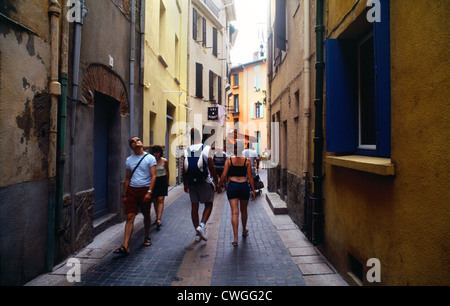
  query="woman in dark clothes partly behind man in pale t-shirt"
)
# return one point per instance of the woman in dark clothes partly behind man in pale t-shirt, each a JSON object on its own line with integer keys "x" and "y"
{"x": 162, "y": 183}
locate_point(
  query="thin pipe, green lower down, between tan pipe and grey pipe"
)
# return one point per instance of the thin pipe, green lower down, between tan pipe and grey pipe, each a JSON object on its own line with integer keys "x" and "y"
{"x": 62, "y": 115}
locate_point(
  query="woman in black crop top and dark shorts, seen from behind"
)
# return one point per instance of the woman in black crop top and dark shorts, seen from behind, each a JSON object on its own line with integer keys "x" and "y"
{"x": 238, "y": 172}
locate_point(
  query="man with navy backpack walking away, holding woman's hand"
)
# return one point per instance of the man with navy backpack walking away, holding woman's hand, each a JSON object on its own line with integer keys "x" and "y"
{"x": 198, "y": 173}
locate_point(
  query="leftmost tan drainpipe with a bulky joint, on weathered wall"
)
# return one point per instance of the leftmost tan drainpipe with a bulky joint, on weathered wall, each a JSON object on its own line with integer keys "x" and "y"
{"x": 55, "y": 91}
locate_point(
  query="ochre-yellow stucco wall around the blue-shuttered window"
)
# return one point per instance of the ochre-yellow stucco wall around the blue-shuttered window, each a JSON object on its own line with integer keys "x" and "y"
{"x": 403, "y": 220}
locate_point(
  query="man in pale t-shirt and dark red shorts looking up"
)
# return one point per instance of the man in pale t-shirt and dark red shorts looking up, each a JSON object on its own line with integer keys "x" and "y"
{"x": 137, "y": 191}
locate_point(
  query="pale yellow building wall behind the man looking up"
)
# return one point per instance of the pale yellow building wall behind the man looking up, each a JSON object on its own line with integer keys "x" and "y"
{"x": 162, "y": 94}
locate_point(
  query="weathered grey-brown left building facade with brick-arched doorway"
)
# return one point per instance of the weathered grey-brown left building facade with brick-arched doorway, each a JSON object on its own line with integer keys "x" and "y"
{"x": 69, "y": 77}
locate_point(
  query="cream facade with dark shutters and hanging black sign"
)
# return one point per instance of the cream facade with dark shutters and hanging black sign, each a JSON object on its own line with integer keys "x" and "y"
{"x": 209, "y": 57}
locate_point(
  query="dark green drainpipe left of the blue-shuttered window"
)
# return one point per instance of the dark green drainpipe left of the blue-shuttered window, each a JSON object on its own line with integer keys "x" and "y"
{"x": 317, "y": 226}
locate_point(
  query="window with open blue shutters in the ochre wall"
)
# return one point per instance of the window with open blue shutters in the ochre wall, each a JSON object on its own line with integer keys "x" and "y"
{"x": 358, "y": 92}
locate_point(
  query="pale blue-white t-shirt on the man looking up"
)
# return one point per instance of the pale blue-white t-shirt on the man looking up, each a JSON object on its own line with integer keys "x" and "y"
{"x": 142, "y": 176}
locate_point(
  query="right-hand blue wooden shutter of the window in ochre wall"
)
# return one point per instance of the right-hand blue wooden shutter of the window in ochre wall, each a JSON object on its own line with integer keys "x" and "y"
{"x": 383, "y": 80}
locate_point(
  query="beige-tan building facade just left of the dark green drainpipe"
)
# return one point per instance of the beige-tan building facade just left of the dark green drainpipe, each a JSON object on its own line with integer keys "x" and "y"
{"x": 290, "y": 90}
